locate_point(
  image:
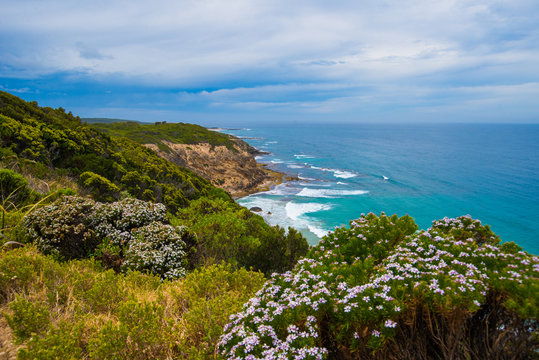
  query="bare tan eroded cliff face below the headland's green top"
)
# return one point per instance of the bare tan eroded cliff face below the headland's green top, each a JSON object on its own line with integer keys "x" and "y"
{"x": 235, "y": 171}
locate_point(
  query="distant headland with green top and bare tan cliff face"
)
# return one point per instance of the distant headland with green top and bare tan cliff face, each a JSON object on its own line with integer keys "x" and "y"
{"x": 224, "y": 160}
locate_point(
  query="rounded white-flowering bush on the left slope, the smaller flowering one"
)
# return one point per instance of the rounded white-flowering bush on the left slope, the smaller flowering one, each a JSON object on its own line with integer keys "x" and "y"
{"x": 130, "y": 233}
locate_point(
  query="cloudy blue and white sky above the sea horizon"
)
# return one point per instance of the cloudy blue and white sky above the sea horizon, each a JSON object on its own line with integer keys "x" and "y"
{"x": 218, "y": 62}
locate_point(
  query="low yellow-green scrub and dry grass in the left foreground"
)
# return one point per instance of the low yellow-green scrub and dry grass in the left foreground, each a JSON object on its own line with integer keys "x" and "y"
{"x": 77, "y": 310}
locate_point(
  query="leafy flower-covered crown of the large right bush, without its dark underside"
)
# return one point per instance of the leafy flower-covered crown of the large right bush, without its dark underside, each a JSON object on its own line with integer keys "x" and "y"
{"x": 359, "y": 282}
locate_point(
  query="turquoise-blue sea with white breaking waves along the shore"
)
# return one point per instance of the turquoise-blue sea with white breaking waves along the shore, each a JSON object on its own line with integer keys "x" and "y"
{"x": 427, "y": 171}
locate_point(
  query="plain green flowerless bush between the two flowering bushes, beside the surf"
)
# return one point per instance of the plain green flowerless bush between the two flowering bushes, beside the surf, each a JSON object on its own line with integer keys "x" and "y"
{"x": 228, "y": 232}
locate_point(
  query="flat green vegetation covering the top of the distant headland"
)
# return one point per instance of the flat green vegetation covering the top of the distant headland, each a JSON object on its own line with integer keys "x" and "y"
{"x": 178, "y": 133}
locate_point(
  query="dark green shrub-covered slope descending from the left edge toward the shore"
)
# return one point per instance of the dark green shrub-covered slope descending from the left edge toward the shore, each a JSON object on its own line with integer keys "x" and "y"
{"x": 54, "y": 140}
